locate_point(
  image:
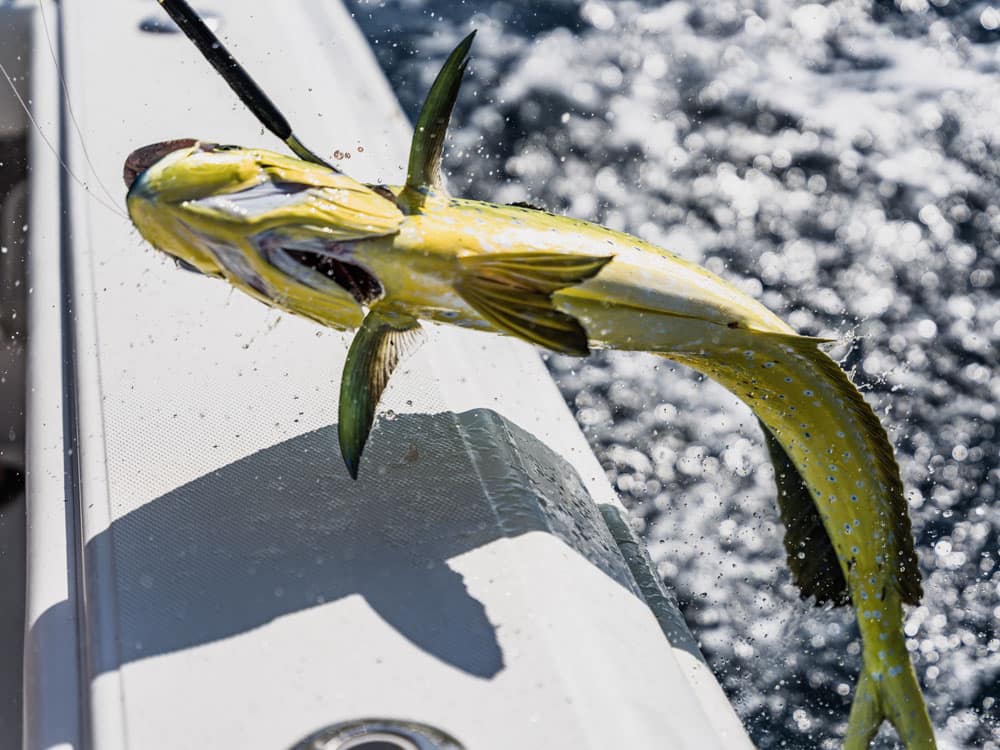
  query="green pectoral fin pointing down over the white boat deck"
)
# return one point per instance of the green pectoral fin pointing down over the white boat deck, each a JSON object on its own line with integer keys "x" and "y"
{"x": 379, "y": 345}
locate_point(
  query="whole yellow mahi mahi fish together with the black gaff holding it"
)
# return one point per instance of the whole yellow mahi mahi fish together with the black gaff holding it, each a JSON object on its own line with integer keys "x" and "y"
{"x": 299, "y": 235}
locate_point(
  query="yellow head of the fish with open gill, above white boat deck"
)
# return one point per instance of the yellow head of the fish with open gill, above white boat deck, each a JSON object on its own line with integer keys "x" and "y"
{"x": 280, "y": 229}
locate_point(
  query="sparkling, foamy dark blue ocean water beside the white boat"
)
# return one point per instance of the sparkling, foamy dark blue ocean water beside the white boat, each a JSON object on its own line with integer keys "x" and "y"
{"x": 837, "y": 161}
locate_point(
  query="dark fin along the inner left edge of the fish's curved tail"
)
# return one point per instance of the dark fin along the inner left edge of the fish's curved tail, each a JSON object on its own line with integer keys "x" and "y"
{"x": 816, "y": 572}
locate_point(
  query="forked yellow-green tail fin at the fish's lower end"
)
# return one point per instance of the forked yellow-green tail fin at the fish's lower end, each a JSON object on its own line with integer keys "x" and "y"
{"x": 894, "y": 696}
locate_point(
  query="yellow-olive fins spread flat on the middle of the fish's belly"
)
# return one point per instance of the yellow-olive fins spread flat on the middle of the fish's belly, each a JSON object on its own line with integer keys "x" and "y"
{"x": 514, "y": 292}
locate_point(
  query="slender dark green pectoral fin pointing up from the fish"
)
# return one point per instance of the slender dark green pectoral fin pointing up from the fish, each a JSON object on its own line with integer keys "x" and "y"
{"x": 424, "y": 169}
